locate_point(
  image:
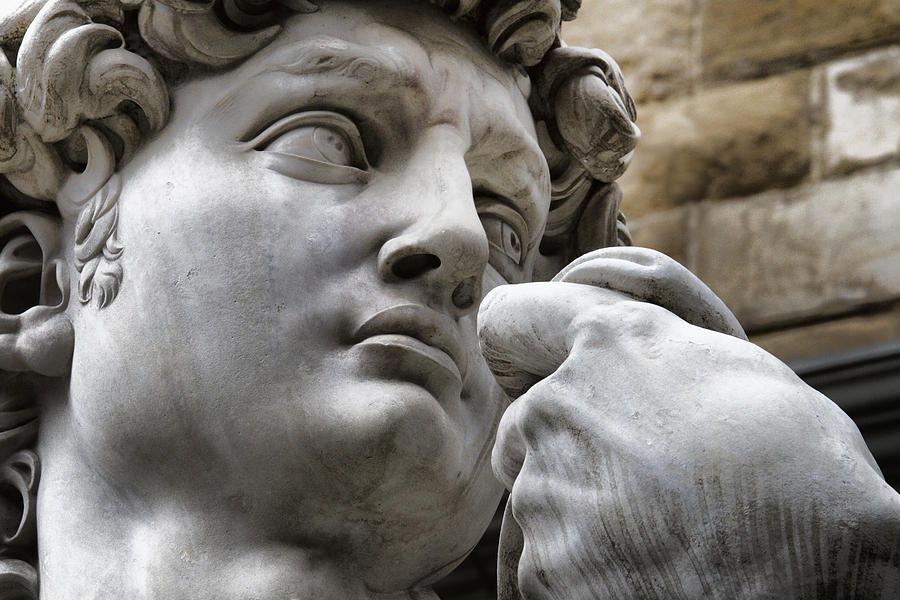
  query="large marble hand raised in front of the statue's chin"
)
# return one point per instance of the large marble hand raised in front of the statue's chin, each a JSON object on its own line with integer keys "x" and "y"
{"x": 651, "y": 455}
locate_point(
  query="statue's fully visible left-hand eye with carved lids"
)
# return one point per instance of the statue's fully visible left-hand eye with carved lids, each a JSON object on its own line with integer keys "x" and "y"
{"x": 318, "y": 146}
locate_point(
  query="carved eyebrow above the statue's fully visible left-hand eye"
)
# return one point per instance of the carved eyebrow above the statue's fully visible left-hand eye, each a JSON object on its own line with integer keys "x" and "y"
{"x": 325, "y": 55}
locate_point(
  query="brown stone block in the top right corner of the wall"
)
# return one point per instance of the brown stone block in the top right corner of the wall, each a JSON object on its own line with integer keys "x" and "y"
{"x": 750, "y": 38}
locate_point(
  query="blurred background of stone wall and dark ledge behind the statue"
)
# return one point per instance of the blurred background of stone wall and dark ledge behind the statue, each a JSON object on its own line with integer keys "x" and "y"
{"x": 769, "y": 166}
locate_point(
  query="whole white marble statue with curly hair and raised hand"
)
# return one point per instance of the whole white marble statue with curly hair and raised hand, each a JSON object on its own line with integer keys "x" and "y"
{"x": 258, "y": 338}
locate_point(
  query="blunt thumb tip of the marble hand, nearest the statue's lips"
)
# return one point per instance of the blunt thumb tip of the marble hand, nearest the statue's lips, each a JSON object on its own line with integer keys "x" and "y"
{"x": 524, "y": 329}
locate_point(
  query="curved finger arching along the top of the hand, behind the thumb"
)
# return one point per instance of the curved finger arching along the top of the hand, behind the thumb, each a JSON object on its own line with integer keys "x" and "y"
{"x": 653, "y": 277}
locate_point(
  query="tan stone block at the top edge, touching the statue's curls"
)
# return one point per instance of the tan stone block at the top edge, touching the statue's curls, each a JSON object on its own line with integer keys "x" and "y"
{"x": 650, "y": 39}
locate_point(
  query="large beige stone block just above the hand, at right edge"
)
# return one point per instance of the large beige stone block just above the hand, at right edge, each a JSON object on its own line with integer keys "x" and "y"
{"x": 783, "y": 257}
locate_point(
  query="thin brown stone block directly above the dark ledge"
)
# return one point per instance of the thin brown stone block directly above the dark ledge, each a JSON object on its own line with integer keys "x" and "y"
{"x": 834, "y": 336}
